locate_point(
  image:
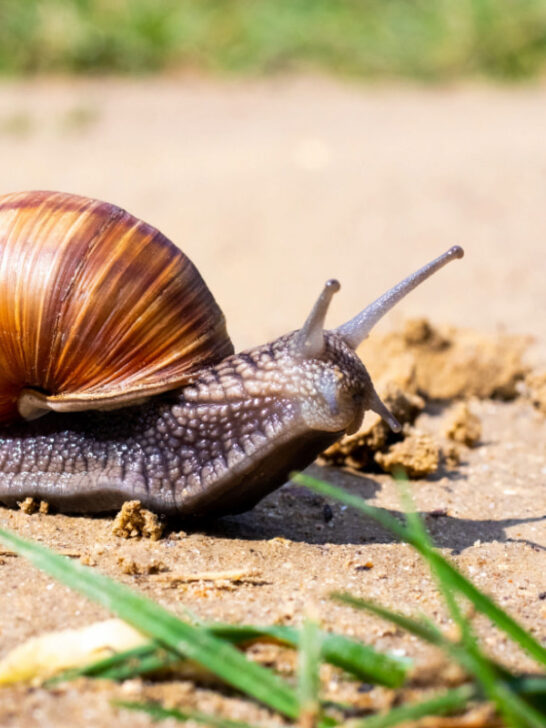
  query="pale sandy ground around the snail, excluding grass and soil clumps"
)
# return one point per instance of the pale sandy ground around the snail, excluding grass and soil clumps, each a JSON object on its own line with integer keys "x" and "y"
{"x": 271, "y": 188}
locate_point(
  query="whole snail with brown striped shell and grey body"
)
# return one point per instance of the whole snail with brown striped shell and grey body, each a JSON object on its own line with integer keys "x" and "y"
{"x": 108, "y": 329}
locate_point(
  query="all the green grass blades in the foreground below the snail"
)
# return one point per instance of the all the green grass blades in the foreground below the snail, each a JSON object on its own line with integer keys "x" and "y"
{"x": 519, "y": 699}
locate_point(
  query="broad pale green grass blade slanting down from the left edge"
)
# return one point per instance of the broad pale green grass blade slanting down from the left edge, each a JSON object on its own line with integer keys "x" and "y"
{"x": 216, "y": 655}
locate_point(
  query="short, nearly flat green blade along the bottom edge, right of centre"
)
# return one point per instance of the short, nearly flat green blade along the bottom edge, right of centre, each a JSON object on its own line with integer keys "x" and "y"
{"x": 447, "y": 702}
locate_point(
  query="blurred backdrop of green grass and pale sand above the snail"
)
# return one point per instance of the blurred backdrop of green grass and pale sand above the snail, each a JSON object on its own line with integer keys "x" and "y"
{"x": 283, "y": 142}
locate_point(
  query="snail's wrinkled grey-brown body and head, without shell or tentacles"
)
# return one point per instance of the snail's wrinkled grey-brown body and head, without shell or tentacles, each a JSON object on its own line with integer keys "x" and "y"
{"x": 216, "y": 446}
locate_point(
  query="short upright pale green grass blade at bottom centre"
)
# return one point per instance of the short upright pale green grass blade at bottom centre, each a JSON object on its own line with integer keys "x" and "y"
{"x": 308, "y": 673}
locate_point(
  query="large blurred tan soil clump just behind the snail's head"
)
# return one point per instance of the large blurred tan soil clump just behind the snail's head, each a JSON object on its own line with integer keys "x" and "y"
{"x": 445, "y": 362}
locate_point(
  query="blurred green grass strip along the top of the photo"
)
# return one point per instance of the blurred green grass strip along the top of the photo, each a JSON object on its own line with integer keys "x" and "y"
{"x": 425, "y": 39}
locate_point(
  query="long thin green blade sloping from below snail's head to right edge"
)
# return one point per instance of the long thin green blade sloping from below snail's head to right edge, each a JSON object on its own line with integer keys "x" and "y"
{"x": 458, "y": 582}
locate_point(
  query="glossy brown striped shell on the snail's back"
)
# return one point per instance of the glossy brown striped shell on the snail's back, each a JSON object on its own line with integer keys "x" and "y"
{"x": 97, "y": 308}
